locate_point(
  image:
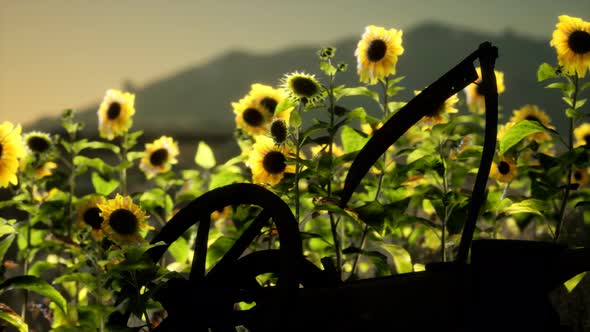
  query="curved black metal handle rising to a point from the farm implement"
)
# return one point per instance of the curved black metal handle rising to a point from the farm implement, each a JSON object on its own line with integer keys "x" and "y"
{"x": 432, "y": 97}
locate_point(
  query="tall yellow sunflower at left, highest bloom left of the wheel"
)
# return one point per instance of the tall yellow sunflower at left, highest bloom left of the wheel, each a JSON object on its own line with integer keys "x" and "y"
{"x": 115, "y": 112}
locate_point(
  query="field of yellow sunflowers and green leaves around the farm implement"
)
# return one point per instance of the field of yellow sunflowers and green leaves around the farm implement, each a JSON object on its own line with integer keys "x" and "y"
{"x": 74, "y": 226}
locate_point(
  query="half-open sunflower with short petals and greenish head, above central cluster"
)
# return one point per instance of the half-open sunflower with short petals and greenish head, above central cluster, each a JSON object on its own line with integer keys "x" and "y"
{"x": 302, "y": 87}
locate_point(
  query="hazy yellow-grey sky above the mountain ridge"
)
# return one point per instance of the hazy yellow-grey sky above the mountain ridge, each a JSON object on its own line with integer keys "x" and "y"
{"x": 64, "y": 54}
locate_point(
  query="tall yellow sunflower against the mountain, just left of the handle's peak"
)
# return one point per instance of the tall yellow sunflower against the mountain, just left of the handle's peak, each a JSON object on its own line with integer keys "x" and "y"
{"x": 377, "y": 53}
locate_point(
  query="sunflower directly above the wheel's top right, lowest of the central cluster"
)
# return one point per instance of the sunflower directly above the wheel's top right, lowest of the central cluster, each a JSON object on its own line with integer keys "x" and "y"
{"x": 268, "y": 161}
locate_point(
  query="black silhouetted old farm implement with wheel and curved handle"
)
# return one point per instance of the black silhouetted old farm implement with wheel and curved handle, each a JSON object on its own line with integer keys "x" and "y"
{"x": 492, "y": 285}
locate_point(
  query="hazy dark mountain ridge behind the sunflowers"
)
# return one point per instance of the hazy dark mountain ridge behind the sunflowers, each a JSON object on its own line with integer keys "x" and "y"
{"x": 195, "y": 103}
